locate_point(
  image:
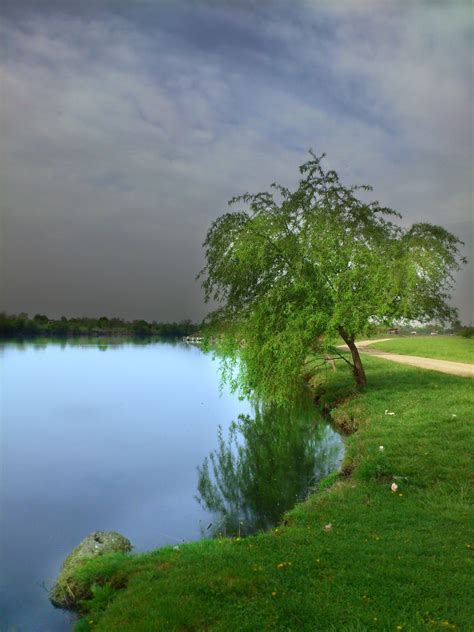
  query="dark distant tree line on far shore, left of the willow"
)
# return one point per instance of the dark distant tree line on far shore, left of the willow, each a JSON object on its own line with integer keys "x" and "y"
{"x": 21, "y": 325}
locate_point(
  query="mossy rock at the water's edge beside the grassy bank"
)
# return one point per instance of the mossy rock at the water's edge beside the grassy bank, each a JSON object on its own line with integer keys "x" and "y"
{"x": 67, "y": 593}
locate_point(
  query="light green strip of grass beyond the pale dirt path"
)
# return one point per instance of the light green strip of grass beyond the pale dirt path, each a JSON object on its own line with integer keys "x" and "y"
{"x": 453, "y": 348}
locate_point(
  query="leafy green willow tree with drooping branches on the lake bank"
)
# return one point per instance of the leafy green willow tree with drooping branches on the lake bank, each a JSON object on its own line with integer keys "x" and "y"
{"x": 293, "y": 270}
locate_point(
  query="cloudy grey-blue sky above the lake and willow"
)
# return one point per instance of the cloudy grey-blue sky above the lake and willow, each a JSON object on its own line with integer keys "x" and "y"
{"x": 127, "y": 125}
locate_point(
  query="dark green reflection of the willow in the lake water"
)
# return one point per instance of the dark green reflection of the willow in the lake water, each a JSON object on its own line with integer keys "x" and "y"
{"x": 265, "y": 465}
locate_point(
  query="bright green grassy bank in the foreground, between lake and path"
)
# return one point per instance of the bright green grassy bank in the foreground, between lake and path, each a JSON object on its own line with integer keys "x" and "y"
{"x": 389, "y": 561}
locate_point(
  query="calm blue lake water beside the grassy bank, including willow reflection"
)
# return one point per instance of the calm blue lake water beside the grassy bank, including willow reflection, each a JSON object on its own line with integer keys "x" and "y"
{"x": 98, "y": 437}
